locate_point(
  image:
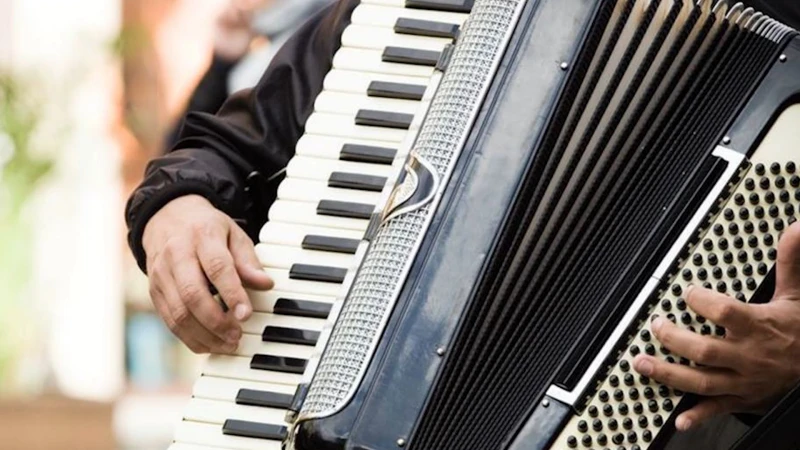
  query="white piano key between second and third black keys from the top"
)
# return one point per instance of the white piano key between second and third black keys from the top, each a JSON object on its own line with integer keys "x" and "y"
{"x": 378, "y": 38}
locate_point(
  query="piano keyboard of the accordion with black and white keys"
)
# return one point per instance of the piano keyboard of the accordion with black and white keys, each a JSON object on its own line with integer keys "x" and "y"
{"x": 352, "y": 149}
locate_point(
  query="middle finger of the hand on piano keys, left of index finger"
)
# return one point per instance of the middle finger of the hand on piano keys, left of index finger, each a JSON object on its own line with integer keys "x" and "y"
{"x": 193, "y": 292}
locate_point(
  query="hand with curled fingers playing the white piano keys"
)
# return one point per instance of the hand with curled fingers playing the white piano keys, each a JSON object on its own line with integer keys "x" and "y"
{"x": 189, "y": 243}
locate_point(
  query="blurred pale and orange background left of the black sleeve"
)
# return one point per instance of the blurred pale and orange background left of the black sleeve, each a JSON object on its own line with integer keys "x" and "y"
{"x": 90, "y": 90}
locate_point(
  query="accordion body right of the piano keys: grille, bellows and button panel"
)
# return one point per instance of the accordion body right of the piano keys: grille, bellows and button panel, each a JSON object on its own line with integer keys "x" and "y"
{"x": 580, "y": 165}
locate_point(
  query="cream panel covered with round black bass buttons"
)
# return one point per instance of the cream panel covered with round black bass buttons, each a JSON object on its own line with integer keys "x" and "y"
{"x": 732, "y": 255}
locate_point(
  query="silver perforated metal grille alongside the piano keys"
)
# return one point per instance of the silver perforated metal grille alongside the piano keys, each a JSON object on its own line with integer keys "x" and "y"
{"x": 371, "y": 298}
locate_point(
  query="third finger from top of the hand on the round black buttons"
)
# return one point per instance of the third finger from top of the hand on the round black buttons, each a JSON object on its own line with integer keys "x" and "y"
{"x": 696, "y": 380}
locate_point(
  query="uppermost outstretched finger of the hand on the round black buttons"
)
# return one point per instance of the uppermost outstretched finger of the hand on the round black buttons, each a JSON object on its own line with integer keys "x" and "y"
{"x": 720, "y": 309}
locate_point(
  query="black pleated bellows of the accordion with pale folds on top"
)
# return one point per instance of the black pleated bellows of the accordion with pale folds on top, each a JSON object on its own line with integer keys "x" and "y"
{"x": 627, "y": 149}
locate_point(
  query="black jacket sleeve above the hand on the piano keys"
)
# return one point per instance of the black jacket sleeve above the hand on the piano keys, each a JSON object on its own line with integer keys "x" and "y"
{"x": 234, "y": 158}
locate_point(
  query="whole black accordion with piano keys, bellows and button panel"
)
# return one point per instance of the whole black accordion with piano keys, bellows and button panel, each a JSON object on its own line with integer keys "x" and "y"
{"x": 489, "y": 203}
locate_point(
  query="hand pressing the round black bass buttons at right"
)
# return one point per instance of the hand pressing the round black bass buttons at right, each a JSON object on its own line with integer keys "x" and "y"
{"x": 758, "y": 361}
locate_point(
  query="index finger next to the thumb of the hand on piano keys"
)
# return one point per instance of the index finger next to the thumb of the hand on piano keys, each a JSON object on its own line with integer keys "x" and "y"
{"x": 218, "y": 264}
